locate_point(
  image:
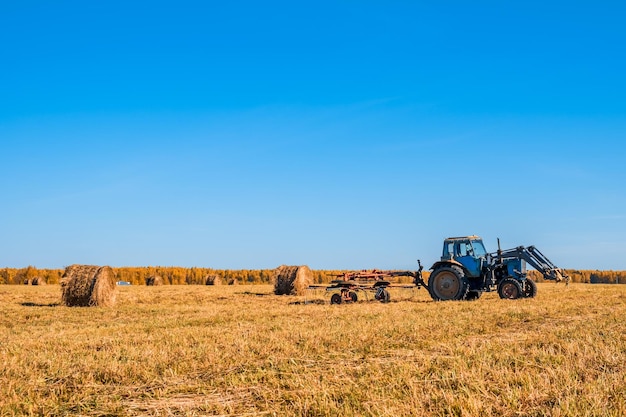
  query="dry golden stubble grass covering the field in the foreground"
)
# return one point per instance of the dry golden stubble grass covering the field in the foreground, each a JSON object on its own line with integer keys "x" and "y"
{"x": 219, "y": 350}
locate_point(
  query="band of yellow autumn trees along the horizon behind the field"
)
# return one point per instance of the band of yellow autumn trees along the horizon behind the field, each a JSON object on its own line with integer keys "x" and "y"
{"x": 199, "y": 276}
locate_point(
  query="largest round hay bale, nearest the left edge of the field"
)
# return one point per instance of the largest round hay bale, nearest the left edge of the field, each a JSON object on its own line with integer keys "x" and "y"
{"x": 88, "y": 286}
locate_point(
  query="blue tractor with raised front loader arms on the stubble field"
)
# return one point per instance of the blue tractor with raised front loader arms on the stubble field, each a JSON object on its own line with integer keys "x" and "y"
{"x": 466, "y": 270}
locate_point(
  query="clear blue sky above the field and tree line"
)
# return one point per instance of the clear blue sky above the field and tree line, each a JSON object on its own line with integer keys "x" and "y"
{"x": 336, "y": 134}
